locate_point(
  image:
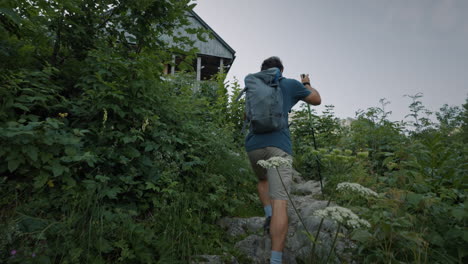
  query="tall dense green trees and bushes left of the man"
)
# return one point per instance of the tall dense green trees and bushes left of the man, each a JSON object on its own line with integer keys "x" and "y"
{"x": 102, "y": 159}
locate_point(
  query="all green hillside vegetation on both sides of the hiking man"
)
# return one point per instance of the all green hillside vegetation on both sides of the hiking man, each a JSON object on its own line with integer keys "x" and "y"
{"x": 105, "y": 160}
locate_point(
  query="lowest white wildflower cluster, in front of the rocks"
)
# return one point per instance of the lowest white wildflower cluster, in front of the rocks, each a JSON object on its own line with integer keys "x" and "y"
{"x": 342, "y": 215}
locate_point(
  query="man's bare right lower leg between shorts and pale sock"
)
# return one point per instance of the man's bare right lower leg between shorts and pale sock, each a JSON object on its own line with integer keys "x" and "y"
{"x": 279, "y": 224}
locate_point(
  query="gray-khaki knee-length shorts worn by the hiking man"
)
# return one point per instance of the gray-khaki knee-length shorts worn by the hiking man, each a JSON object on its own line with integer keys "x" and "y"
{"x": 275, "y": 187}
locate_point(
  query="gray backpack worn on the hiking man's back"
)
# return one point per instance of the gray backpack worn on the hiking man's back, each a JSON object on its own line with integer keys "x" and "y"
{"x": 264, "y": 102}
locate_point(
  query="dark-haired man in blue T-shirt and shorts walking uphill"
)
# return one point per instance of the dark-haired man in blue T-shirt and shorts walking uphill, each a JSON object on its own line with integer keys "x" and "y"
{"x": 262, "y": 146}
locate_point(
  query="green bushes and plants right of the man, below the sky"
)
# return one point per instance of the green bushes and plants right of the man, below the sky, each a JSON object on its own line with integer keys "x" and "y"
{"x": 421, "y": 214}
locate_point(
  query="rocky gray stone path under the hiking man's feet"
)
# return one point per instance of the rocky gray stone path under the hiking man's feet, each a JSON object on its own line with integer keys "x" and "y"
{"x": 256, "y": 245}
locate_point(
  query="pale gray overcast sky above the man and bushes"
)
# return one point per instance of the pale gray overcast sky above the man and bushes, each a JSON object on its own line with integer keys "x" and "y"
{"x": 356, "y": 52}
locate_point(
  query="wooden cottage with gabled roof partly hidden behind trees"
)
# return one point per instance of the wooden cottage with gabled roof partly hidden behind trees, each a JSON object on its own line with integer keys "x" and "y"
{"x": 214, "y": 56}
